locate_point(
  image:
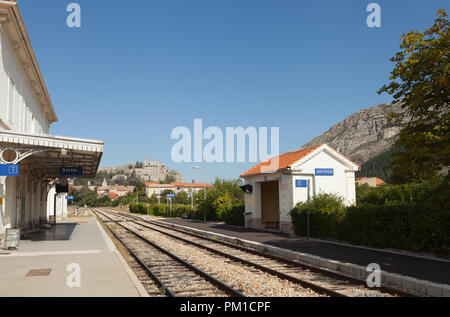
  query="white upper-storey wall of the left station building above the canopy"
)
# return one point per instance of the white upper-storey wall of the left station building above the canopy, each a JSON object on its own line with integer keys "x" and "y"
{"x": 26, "y": 115}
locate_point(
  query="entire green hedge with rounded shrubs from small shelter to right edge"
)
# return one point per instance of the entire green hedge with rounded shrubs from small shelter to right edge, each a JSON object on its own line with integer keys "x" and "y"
{"x": 408, "y": 217}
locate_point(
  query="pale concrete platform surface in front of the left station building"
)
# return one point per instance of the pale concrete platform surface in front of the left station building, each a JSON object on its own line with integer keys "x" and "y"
{"x": 79, "y": 242}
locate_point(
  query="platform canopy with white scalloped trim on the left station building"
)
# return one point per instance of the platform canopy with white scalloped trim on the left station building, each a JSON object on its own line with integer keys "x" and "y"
{"x": 44, "y": 156}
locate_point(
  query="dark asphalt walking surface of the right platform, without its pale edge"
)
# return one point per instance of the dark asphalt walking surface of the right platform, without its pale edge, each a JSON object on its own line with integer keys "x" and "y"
{"x": 418, "y": 267}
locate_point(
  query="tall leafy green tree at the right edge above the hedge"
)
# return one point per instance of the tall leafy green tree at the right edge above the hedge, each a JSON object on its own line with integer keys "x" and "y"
{"x": 420, "y": 82}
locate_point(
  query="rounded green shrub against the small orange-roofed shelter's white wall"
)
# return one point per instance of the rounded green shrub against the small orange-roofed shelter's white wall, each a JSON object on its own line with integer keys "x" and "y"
{"x": 327, "y": 211}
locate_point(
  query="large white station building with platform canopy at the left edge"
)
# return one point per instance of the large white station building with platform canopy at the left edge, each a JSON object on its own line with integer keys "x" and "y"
{"x": 32, "y": 162}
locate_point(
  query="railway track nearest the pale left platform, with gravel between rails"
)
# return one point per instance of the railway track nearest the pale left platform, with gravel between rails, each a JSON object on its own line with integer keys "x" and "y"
{"x": 173, "y": 276}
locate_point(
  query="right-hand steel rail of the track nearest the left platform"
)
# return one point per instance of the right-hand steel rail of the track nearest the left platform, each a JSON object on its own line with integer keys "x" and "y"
{"x": 219, "y": 284}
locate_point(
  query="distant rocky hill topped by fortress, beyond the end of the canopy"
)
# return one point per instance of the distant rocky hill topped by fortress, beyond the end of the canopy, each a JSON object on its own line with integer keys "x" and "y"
{"x": 147, "y": 171}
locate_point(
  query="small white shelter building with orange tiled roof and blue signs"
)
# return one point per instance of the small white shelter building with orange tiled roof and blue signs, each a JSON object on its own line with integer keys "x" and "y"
{"x": 275, "y": 186}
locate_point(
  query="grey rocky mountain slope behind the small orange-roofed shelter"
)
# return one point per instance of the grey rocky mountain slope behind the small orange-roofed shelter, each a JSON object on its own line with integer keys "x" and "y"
{"x": 364, "y": 135}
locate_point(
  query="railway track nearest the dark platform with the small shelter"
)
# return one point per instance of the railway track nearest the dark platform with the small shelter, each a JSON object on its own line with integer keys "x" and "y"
{"x": 318, "y": 280}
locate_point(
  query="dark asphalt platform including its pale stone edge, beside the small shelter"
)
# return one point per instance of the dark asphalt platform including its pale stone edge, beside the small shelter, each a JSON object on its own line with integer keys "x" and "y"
{"x": 405, "y": 269}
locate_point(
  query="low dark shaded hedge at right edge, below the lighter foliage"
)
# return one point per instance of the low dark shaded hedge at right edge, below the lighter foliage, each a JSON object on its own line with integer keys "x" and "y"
{"x": 401, "y": 226}
